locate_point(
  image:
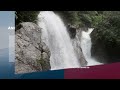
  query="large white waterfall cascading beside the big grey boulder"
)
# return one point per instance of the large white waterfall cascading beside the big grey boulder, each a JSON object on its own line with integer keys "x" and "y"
{"x": 55, "y": 35}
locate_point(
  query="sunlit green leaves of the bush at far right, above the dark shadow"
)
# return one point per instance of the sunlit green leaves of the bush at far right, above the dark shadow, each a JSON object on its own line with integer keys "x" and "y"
{"x": 109, "y": 29}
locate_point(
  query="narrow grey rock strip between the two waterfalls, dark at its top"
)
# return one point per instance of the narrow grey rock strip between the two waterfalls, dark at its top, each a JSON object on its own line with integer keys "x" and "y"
{"x": 75, "y": 35}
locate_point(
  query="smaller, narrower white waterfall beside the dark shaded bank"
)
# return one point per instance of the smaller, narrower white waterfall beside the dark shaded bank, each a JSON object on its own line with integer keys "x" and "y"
{"x": 86, "y": 47}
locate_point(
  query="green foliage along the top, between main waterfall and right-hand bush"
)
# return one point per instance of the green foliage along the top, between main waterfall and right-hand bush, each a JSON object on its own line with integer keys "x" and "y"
{"x": 82, "y": 18}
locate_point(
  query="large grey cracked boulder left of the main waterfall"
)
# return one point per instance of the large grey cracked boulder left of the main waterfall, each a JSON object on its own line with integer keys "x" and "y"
{"x": 31, "y": 53}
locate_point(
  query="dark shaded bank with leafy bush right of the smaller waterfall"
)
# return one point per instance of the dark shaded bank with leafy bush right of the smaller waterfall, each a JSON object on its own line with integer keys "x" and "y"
{"x": 106, "y": 38}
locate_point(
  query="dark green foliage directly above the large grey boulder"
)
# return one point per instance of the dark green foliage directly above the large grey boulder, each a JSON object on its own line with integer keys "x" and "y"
{"x": 25, "y": 16}
